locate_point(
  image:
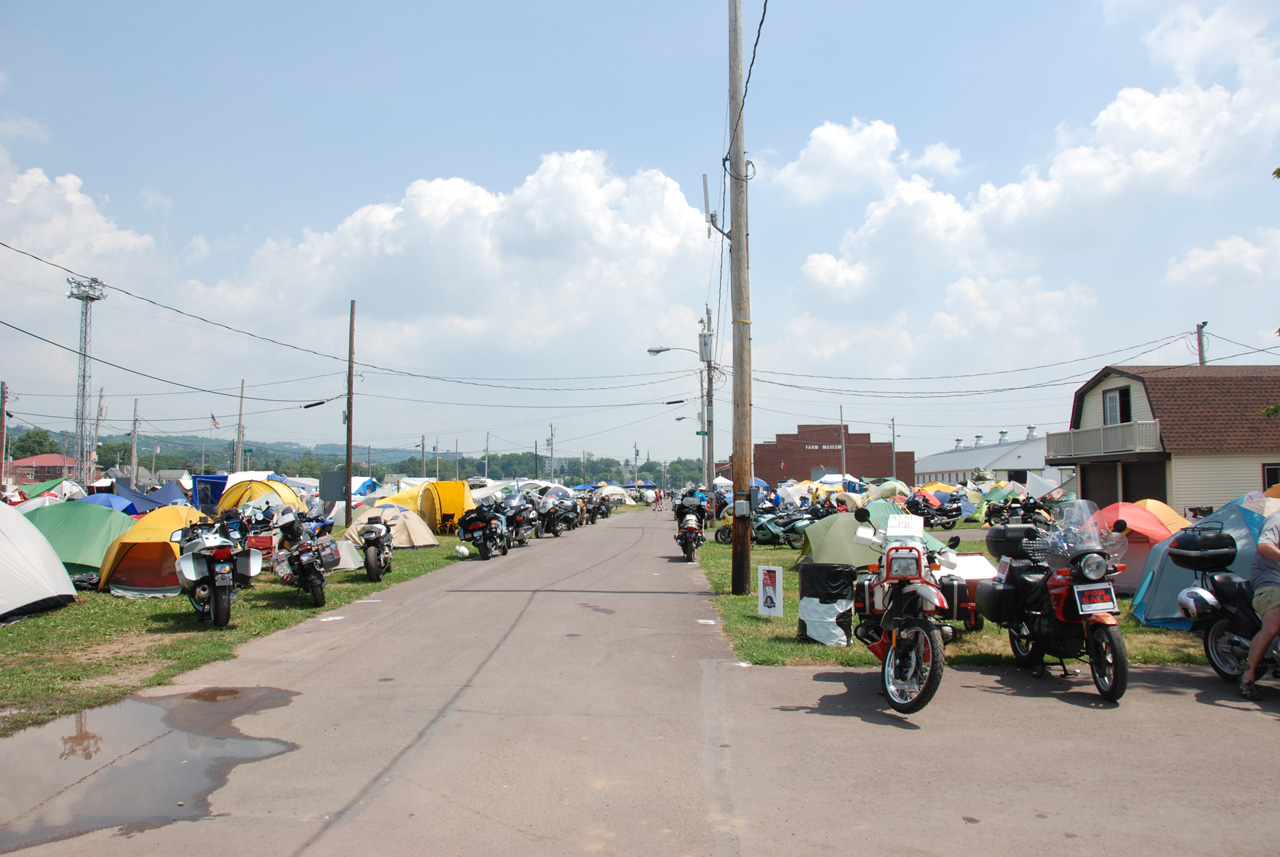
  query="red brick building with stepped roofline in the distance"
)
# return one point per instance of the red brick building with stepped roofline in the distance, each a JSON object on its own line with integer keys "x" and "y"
{"x": 815, "y": 451}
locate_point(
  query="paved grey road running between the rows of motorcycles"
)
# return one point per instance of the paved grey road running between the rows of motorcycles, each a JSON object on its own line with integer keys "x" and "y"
{"x": 578, "y": 698}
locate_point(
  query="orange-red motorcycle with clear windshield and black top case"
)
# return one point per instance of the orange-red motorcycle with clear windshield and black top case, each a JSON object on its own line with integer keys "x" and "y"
{"x": 1053, "y": 593}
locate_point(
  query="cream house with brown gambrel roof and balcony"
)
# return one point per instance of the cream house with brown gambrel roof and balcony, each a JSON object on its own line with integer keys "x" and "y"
{"x": 1186, "y": 436}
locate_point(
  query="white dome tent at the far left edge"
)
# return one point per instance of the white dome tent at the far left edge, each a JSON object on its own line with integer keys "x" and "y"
{"x": 31, "y": 576}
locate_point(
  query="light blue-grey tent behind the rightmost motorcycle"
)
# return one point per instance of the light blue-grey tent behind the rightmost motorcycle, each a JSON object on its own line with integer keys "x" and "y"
{"x": 1156, "y": 602}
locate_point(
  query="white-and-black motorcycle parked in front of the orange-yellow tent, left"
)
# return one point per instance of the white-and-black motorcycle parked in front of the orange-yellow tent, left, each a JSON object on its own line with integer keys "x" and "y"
{"x": 212, "y": 567}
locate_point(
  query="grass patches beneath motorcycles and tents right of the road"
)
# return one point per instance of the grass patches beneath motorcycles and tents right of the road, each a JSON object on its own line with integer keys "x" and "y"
{"x": 772, "y": 641}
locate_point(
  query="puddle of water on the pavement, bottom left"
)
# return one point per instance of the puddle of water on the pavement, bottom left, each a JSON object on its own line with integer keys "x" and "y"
{"x": 141, "y": 764}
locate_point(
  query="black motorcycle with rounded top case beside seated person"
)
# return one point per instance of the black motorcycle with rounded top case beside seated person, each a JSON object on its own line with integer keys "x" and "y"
{"x": 1220, "y": 606}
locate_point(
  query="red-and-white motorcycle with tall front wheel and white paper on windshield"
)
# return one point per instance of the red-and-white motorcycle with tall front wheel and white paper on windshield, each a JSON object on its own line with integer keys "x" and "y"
{"x": 900, "y": 607}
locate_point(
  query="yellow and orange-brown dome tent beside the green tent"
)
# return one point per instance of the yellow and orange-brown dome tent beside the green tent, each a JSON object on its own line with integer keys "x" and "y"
{"x": 141, "y": 561}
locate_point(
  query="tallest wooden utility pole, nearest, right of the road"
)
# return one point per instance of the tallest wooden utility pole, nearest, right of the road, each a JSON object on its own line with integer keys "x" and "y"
{"x": 740, "y": 308}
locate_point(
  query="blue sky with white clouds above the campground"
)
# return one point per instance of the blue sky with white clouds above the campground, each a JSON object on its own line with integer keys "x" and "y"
{"x": 959, "y": 214}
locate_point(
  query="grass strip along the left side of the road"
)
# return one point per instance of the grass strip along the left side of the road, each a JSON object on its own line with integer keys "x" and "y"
{"x": 103, "y": 649}
